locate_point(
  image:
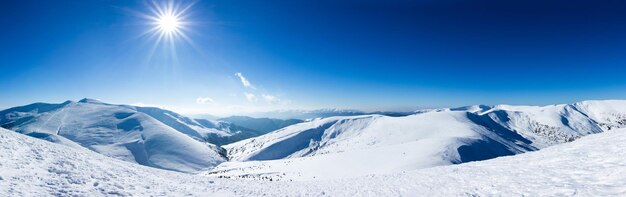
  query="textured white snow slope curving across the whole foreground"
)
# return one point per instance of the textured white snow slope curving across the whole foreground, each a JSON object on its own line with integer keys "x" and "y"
{"x": 591, "y": 166}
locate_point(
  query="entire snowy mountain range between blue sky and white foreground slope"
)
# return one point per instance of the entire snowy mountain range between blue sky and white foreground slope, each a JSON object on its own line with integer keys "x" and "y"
{"x": 340, "y": 146}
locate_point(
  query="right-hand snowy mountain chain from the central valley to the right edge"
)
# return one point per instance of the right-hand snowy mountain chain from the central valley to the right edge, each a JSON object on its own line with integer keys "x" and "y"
{"x": 358, "y": 145}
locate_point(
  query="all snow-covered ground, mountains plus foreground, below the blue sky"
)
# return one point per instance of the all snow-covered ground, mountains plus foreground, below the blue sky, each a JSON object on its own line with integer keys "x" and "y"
{"x": 367, "y": 155}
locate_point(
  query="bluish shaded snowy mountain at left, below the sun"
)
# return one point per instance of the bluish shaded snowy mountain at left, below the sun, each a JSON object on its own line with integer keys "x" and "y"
{"x": 146, "y": 136}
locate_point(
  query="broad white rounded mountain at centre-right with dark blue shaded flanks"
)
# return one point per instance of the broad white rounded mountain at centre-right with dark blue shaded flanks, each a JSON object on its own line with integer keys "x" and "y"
{"x": 370, "y": 144}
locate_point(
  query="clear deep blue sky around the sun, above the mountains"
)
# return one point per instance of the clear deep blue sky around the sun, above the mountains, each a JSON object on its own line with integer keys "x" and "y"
{"x": 369, "y": 55}
